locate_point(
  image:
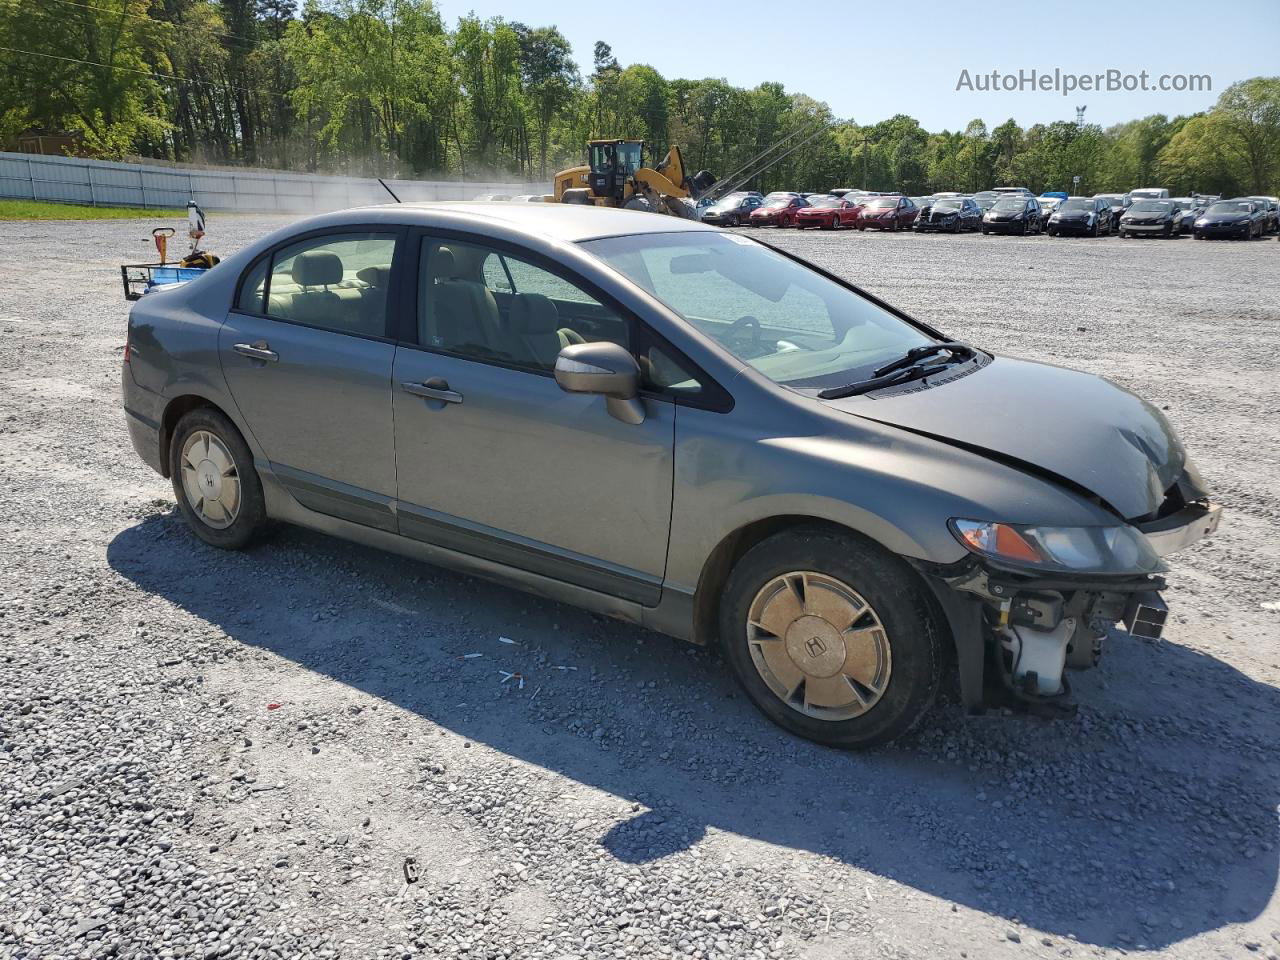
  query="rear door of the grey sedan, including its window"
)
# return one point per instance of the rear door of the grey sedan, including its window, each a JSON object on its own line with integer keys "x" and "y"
{"x": 308, "y": 360}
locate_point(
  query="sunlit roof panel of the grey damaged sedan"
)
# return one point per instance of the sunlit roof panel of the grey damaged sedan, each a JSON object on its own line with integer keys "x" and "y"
{"x": 566, "y": 222}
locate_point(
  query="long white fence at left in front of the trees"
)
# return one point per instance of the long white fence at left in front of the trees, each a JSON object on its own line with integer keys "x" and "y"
{"x": 68, "y": 180}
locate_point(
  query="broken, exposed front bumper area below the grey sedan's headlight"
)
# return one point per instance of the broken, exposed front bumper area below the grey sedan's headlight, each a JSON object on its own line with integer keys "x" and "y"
{"x": 1018, "y": 632}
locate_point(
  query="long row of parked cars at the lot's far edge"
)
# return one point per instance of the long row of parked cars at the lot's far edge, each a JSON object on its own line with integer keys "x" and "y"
{"x": 1141, "y": 213}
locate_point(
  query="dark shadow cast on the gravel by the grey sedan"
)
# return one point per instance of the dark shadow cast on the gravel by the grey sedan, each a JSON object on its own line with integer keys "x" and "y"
{"x": 1126, "y": 828}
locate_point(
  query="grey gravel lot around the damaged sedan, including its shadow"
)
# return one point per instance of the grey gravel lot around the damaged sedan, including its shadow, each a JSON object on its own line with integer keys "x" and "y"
{"x": 232, "y": 756}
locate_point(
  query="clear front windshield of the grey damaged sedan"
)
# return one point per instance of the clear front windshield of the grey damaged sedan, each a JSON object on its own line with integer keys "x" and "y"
{"x": 794, "y": 326}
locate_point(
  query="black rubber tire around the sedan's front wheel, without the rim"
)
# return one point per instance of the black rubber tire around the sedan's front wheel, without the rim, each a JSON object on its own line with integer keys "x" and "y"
{"x": 895, "y": 595}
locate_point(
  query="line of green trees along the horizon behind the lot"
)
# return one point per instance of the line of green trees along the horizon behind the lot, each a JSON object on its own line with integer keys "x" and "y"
{"x": 386, "y": 88}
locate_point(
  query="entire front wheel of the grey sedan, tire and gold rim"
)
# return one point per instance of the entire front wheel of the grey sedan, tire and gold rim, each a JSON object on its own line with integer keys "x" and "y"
{"x": 833, "y": 638}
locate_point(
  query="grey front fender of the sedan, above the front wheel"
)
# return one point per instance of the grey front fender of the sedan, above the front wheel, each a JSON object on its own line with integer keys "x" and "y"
{"x": 893, "y": 487}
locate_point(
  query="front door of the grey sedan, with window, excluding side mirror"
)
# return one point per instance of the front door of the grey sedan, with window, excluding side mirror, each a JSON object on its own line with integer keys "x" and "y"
{"x": 493, "y": 458}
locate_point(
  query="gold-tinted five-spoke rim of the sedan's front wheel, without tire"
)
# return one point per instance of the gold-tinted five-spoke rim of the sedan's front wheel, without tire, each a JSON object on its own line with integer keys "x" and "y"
{"x": 819, "y": 646}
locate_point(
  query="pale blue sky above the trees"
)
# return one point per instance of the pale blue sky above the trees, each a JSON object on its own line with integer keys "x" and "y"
{"x": 874, "y": 60}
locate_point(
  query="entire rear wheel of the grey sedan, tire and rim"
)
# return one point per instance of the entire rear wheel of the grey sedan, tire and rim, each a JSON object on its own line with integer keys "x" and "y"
{"x": 218, "y": 490}
